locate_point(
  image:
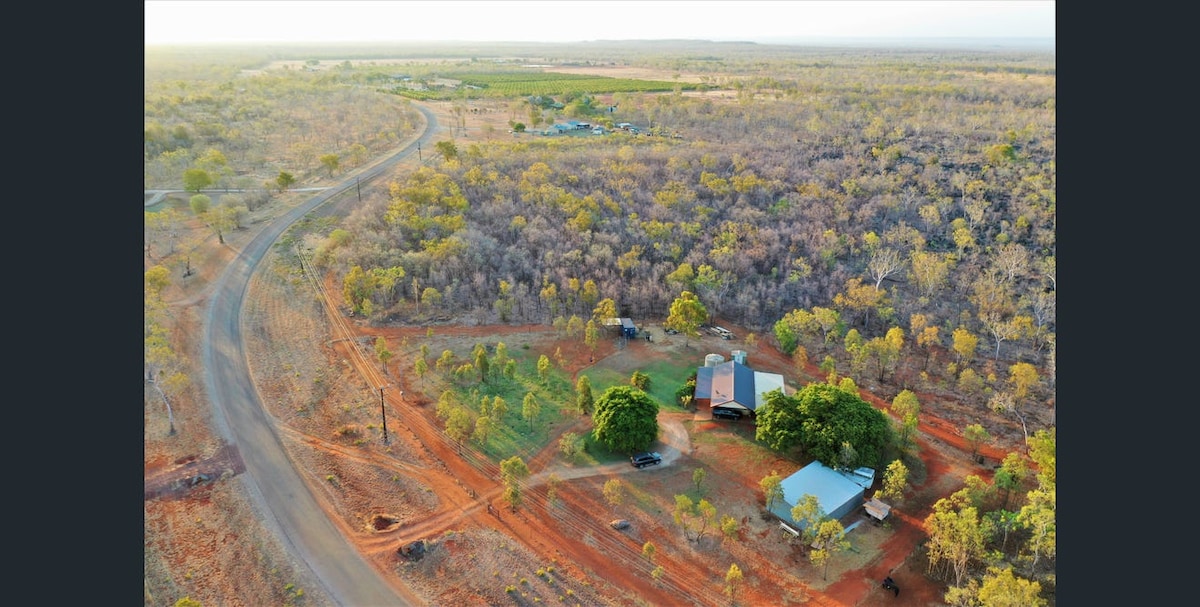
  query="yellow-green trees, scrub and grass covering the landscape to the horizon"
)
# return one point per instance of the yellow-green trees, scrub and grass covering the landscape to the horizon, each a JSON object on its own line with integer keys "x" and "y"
{"x": 891, "y": 219}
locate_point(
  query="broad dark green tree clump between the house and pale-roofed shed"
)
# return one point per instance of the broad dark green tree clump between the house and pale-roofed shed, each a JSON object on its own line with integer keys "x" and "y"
{"x": 819, "y": 419}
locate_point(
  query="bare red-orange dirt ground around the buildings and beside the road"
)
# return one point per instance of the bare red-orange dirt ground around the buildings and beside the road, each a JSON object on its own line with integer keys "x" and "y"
{"x": 185, "y": 490}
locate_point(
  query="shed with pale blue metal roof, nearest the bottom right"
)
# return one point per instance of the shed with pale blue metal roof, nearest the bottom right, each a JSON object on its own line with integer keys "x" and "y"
{"x": 838, "y": 492}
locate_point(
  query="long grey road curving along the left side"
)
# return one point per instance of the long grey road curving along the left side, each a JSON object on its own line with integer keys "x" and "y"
{"x": 279, "y": 491}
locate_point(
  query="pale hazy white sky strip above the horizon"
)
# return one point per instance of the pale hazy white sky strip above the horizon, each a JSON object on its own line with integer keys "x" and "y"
{"x": 572, "y": 21}
